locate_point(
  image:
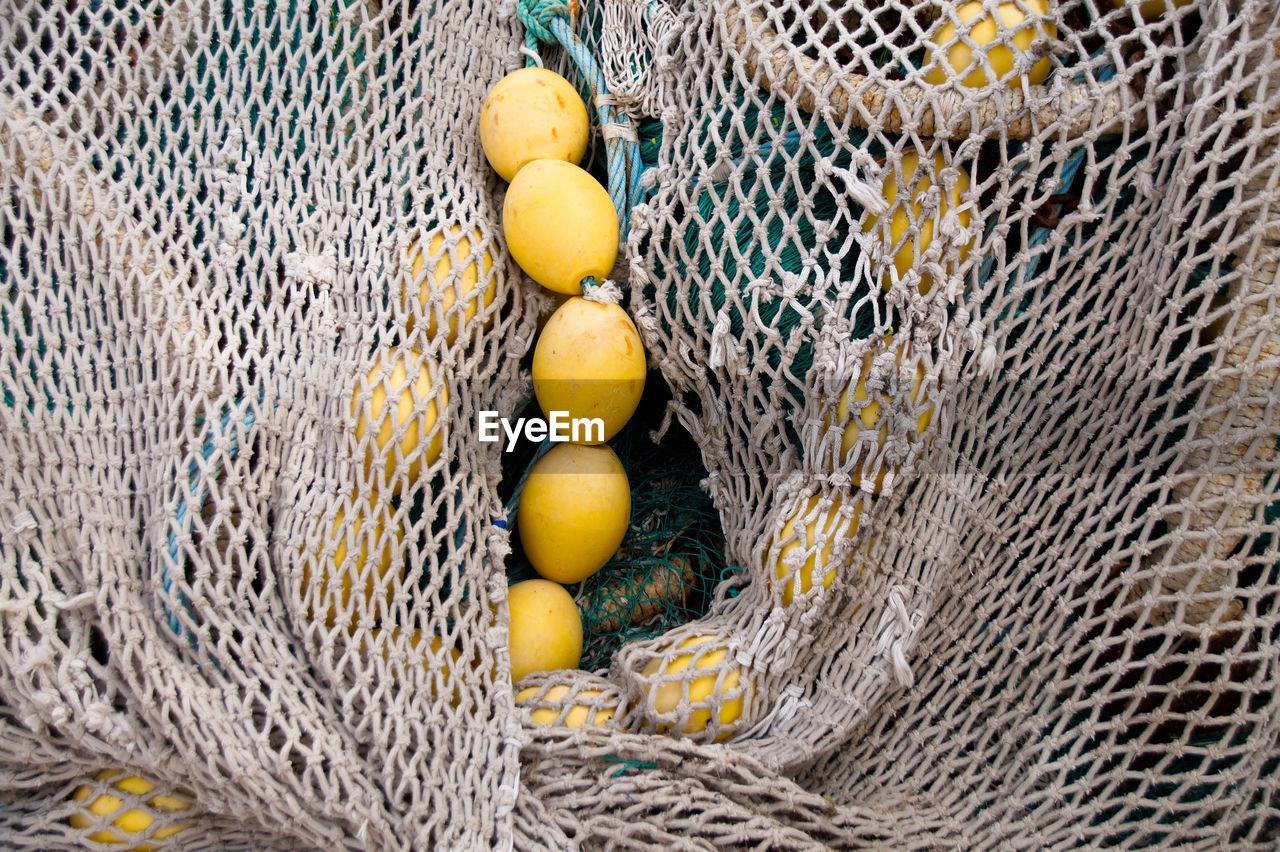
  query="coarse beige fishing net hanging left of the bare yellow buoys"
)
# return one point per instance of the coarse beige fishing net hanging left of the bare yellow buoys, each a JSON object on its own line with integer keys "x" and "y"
{"x": 211, "y": 218}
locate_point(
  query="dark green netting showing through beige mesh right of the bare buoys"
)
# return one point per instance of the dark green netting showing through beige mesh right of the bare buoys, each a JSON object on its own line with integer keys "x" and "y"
{"x": 779, "y": 153}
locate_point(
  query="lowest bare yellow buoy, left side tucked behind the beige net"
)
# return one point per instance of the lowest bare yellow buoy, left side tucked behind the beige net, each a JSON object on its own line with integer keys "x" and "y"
{"x": 546, "y": 629}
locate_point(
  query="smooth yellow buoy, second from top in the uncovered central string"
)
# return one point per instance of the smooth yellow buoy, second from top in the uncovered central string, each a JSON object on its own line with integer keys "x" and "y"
{"x": 561, "y": 226}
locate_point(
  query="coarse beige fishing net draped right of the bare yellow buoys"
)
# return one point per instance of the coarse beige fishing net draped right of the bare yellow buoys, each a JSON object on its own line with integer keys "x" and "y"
{"x": 1046, "y": 501}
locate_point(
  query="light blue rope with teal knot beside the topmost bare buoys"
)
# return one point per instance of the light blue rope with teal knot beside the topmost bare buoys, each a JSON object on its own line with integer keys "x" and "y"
{"x": 547, "y": 22}
